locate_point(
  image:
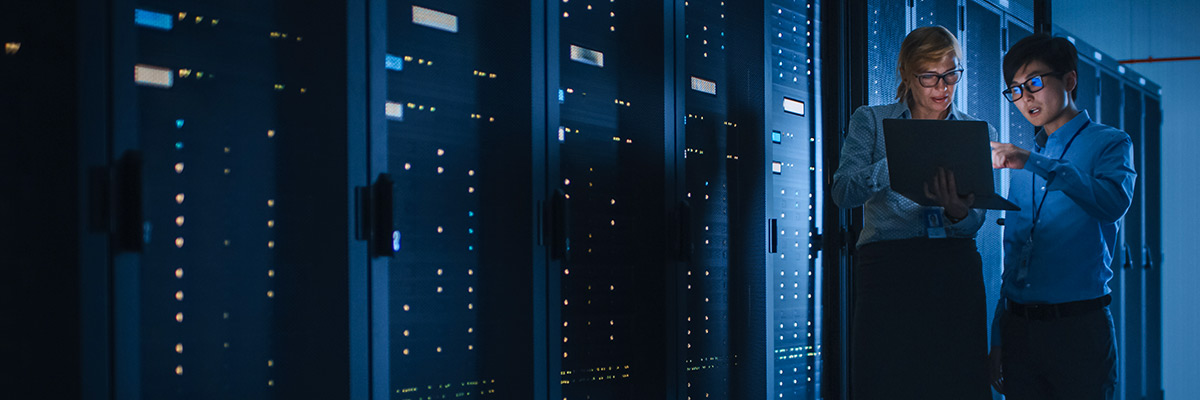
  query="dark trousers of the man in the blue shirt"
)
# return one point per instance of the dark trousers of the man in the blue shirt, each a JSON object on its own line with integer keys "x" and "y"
{"x": 1064, "y": 359}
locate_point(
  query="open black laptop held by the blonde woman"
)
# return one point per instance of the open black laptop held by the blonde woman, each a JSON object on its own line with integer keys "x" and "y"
{"x": 916, "y": 148}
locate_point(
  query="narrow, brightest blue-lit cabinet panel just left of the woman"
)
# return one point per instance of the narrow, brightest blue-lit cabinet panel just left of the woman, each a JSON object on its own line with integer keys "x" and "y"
{"x": 795, "y": 196}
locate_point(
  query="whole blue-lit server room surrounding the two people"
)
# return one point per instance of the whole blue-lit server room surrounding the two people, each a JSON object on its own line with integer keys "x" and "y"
{"x": 545, "y": 200}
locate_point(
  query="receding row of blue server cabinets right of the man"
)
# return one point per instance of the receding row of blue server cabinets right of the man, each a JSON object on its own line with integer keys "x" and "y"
{"x": 1121, "y": 98}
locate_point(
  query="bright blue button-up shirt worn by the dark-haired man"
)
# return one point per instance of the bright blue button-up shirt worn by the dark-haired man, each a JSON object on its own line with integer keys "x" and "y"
{"x": 1064, "y": 253}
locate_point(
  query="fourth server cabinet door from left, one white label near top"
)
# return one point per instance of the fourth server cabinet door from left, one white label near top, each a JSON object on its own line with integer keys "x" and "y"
{"x": 609, "y": 163}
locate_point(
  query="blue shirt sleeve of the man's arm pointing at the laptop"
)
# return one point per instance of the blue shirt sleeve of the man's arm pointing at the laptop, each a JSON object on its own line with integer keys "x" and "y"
{"x": 1107, "y": 193}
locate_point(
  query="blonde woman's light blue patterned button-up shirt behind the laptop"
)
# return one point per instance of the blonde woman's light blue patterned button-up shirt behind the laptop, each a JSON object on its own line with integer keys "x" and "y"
{"x": 862, "y": 180}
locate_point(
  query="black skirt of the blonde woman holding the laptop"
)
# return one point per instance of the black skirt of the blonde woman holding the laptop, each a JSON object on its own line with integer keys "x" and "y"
{"x": 920, "y": 325}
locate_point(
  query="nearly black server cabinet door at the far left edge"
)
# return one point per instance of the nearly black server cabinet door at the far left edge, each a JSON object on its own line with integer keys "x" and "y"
{"x": 50, "y": 247}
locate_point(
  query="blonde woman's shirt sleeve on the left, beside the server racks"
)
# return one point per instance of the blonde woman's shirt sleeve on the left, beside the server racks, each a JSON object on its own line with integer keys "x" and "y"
{"x": 860, "y": 175}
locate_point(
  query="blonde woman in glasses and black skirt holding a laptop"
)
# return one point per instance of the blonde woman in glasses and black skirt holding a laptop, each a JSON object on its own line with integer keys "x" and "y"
{"x": 919, "y": 329}
